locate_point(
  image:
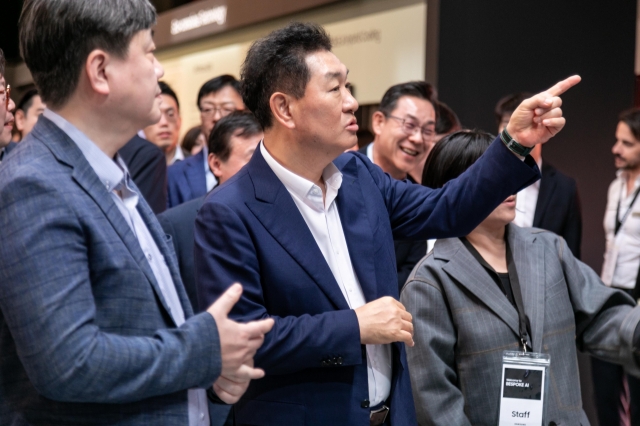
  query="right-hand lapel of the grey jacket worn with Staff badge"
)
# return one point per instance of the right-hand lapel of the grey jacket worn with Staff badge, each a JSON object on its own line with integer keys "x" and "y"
{"x": 528, "y": 257}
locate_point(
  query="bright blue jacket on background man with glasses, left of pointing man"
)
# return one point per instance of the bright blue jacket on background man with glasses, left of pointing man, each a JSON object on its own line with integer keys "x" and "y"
{"x": 186, "y": 180}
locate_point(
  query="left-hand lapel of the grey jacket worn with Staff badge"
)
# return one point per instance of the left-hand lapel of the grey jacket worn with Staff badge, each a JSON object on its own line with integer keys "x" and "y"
{"x": 466, "y": 270}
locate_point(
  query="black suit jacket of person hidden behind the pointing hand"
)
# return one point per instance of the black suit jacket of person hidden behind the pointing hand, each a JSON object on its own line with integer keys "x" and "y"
{"x": 558, "y": 207}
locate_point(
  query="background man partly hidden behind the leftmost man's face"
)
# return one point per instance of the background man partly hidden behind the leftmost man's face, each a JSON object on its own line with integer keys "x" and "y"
{"x": 166, "y": 132}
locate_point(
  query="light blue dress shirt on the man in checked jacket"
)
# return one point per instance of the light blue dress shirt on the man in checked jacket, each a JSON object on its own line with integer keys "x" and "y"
{"x": 115, "y": 177}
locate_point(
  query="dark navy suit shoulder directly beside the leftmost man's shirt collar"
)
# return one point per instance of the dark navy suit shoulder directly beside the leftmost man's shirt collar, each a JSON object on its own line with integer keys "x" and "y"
{"x": 147, "y": 166}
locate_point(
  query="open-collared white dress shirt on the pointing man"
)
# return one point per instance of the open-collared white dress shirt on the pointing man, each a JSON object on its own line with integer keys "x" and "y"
{"x": 323, "y": 221}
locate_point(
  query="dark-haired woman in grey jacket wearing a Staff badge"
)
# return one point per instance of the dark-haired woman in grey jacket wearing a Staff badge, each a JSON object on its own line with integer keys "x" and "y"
{"x": 504, "y": 288}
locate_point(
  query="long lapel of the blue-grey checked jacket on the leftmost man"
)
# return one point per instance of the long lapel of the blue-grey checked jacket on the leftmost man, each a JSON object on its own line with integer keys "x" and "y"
{"x": 66, "y": 151}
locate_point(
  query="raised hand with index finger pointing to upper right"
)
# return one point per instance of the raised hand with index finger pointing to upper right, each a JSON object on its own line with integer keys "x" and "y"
{"x": 539, "y": 118}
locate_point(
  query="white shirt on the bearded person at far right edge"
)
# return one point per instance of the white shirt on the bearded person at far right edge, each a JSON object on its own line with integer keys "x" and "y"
{"x": 622, "y": 255}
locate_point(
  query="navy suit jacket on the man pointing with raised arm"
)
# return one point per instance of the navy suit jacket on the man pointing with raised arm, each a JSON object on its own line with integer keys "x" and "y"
{"x": 250, "y": 231}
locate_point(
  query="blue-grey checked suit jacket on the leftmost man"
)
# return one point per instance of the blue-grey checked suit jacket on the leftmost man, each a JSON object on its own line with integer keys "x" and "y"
{"x": 85, "y": 334}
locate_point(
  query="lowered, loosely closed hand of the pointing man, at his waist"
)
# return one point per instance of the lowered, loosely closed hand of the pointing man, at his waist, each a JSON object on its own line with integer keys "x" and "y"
{"x": 384, "y": 321}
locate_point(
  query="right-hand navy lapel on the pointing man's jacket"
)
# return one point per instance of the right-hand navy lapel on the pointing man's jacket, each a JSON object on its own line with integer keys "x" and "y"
{"x": 357, "y": 229}
